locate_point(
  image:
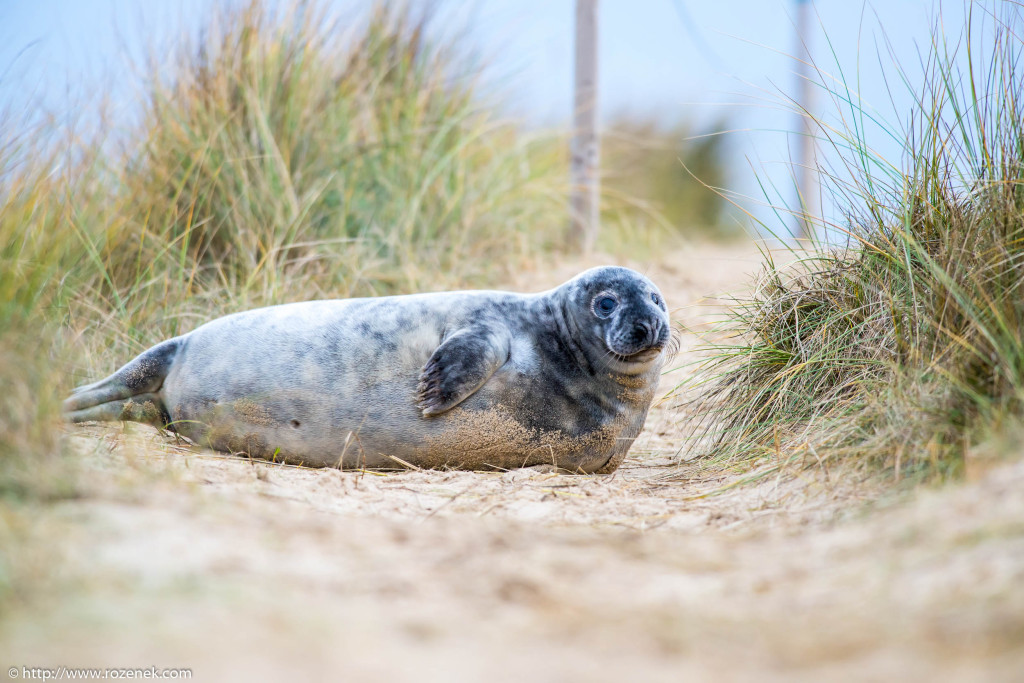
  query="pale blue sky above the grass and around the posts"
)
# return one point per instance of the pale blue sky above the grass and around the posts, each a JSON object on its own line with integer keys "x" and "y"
{"x": 667, "y": 61}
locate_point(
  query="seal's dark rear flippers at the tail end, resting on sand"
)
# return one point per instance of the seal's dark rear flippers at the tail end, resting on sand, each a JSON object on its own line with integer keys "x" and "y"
{"x": 124, "y": 395}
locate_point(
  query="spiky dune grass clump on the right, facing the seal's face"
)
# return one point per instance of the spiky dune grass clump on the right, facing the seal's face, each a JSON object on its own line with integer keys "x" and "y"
{"x": 904, "y": 350}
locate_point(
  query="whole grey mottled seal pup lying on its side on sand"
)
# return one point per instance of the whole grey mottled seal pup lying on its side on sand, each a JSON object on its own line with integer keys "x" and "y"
{"x": 479, "y": 380}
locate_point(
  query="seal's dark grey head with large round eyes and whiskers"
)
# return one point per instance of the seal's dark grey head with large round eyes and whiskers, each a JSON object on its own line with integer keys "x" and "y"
{"x": 622, "y": 318}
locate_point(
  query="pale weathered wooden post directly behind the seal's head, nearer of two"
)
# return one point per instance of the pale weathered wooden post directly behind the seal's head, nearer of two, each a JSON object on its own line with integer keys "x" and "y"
{"x": 585, "y": 149}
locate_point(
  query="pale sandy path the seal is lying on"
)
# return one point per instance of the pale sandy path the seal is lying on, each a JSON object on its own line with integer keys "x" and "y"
{"x": 252, "y": 572}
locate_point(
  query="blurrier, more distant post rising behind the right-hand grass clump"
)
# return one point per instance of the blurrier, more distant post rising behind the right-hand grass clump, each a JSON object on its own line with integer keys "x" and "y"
{"x": 807, "y": 176}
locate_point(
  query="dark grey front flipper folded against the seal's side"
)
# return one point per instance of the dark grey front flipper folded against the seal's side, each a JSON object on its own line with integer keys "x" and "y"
{"x": 459, "y": 367}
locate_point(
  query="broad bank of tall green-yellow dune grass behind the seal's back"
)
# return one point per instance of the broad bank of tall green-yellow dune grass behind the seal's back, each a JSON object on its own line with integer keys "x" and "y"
{"x": 279, "y": 156}
